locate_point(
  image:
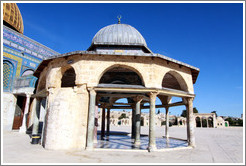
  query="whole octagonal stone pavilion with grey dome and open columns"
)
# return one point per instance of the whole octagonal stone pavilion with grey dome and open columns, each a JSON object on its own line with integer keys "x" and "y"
{"x": 117, "y": 65}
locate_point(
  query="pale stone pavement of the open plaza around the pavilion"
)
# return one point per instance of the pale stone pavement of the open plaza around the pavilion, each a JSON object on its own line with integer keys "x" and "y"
{"x": 213, "y": 145}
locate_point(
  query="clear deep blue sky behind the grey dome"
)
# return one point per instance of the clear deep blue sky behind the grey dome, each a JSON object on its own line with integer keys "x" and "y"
{"x": 206, "y": 35}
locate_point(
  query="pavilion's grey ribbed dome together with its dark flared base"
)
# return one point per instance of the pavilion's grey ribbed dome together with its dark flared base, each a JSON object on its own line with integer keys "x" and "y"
{"x": 118, "y": 35}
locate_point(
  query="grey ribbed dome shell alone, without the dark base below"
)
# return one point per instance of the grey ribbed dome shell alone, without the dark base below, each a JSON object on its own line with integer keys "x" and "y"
{"x": 119, "y": 34}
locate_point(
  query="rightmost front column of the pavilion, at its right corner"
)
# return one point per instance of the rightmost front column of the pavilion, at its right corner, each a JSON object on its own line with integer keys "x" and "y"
{"x": 190, "y": 125}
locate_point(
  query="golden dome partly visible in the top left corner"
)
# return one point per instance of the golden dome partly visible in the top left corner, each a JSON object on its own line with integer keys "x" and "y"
{"x": 12, "y": 17}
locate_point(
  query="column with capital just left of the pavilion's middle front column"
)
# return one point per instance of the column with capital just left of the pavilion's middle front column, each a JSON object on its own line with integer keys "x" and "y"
{"x": 138, "y": 100}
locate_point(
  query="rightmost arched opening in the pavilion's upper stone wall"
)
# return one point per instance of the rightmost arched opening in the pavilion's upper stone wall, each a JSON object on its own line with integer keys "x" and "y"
{"x": 174, "y": 80}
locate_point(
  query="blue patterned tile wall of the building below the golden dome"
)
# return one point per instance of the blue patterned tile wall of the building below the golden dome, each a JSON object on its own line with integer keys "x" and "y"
{"x": 20, "y": 54}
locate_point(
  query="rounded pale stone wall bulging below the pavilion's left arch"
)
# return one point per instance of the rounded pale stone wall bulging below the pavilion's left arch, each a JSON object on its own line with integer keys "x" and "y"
{"x": 66, "y": 120}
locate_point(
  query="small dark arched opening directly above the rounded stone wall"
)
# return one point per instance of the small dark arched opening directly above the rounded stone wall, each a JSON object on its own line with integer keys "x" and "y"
{"x": 68, "y": 78}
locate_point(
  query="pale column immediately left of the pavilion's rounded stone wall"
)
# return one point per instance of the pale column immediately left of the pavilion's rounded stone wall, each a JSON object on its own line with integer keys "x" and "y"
{"x": 36, "y": 114}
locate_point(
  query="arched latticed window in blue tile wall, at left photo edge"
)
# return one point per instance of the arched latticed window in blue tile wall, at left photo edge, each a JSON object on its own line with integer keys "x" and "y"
{"x": 8, "y": 70}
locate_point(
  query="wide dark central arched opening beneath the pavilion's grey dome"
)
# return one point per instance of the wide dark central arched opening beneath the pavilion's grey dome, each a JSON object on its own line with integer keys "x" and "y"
{"x": 121, "y": 75}
